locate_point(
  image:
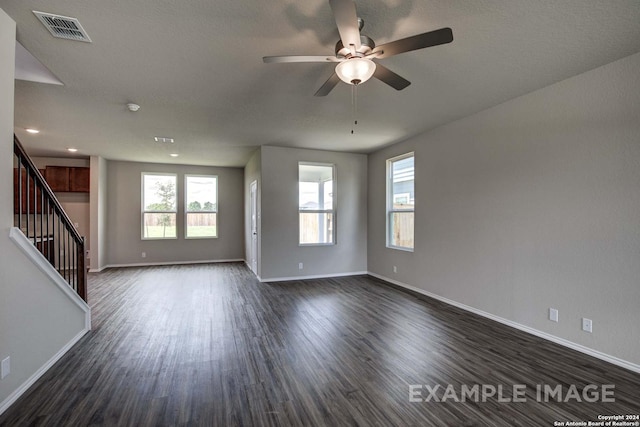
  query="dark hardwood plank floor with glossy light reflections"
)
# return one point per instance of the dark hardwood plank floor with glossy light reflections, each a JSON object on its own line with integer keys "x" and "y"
{"x": 208, "y": 345}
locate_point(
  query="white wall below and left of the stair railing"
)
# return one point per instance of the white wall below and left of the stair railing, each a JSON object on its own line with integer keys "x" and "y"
{"x": 37, "y": 320}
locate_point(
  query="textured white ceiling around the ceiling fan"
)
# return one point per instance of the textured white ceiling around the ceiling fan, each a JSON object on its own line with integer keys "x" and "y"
{"x": 196, "y": 69}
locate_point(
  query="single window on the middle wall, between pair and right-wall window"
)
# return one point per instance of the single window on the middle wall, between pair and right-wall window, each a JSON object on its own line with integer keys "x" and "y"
{"x": 316, "y": 203}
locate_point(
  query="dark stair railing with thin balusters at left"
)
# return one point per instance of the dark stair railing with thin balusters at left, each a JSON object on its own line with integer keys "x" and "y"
{"x": 41, "y": 218}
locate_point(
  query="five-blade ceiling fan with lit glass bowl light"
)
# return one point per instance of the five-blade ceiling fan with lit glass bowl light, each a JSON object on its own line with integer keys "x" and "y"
{"x": 355, "y": 52}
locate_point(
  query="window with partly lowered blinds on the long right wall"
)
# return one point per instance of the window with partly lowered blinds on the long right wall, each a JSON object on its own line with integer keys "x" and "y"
{"x": 400, "y": 202}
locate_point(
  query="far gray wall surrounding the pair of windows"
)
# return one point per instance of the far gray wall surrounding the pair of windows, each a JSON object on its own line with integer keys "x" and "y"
{"x": 124, "y": 243}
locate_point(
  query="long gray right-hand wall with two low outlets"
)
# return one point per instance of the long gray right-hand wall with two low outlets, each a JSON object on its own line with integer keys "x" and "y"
{"x": 532, "y": 204}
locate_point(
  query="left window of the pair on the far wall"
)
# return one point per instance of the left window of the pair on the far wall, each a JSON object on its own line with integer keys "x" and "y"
{"x": 158, "y": 206}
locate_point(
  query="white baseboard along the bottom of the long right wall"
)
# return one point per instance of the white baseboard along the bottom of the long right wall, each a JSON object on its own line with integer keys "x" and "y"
{"x": 566, "y": 343}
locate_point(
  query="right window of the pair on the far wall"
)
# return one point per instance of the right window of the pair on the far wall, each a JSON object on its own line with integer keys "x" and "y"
{"x": 201, "y": 206}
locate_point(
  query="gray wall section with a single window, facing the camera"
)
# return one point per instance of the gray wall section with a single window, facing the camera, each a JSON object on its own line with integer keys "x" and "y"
{"x": 280, "y": 252}
